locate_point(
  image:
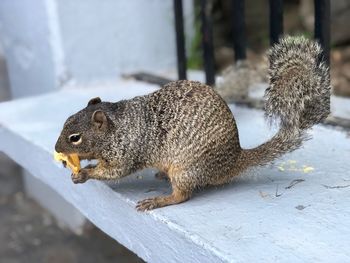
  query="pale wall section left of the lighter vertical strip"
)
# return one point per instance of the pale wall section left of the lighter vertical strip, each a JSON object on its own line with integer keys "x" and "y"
{"x": 24, "y": 34}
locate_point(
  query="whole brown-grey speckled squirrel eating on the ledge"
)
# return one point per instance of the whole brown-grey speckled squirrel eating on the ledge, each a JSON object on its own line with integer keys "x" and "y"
{"x": 187, "y": 131}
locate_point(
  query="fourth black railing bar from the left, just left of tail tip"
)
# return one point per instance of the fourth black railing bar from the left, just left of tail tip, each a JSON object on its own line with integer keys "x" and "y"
{"x": 276, "y": 20}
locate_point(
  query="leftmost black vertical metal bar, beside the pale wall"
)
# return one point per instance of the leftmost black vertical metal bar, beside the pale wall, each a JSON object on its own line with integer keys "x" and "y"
{"x": 180, "y": 40}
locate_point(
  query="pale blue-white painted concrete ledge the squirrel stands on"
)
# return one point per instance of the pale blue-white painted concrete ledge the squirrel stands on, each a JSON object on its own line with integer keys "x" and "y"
{"x": 296, "y": 210}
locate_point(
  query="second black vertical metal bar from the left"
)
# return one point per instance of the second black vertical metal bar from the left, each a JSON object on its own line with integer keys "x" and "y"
{"x": 207, "y": 41}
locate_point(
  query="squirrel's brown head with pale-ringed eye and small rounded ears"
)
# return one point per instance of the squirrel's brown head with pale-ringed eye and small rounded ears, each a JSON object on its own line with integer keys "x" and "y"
{"x": 85, "y": 130}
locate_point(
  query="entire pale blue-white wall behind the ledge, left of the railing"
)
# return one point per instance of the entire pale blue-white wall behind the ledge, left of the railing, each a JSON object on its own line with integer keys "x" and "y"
{"x": 48, "y": 43}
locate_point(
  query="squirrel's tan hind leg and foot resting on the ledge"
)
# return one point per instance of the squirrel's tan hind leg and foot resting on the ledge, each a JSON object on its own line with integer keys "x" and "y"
{"x": 176, "y": 197}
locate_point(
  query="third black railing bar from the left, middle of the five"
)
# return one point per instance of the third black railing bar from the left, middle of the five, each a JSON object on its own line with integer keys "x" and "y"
{"x": 239, "y": 40}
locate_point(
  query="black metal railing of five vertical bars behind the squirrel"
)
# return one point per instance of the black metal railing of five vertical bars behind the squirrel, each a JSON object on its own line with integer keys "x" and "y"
{"x": 322, "y": 32}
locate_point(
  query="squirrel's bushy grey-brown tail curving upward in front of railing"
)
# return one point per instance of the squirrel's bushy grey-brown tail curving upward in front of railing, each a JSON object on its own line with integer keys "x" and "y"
{"x": 298, "y": 96}
